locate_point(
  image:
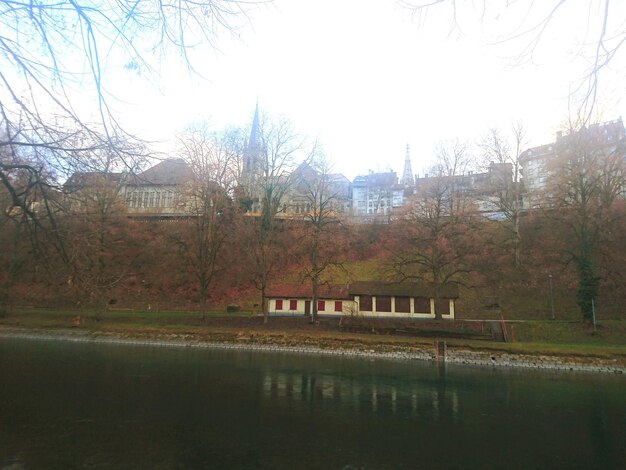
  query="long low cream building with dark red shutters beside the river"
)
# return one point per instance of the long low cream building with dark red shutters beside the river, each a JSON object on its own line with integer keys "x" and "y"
{"x": 369, "y": 299}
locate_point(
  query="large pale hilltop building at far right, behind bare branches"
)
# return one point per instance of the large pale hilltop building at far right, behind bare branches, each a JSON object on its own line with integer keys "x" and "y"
{"x": 541, "y": 163}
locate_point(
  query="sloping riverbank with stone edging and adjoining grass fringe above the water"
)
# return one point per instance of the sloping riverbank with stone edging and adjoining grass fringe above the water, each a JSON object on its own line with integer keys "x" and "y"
{"x": 426, "y": 351}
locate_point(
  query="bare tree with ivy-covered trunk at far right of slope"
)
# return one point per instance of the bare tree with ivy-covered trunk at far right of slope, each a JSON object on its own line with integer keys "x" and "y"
{"x": 587, "y": 179}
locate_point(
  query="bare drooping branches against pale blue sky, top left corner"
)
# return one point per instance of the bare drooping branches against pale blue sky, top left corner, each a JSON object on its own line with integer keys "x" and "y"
{"x": 55, "y": 58}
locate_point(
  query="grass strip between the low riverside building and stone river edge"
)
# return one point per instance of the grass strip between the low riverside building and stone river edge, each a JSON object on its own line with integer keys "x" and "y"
{"x": 561, "y": 339}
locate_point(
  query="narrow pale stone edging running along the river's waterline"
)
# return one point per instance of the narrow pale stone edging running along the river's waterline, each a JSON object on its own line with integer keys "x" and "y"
{"x": 452, "y": 356}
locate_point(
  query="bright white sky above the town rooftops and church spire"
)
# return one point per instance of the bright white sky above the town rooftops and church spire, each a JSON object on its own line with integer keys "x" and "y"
{"x": 369, "y": 77}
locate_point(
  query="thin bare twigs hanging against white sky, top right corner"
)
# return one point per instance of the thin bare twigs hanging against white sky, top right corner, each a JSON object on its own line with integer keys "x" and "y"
{"x": 600, "y": 36}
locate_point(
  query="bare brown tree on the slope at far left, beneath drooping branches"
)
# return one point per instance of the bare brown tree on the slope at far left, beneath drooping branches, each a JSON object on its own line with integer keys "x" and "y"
{"x": 46, "y": 207}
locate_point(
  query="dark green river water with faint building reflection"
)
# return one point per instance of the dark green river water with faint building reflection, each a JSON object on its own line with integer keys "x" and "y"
{"x": 65, "y": 405}
